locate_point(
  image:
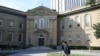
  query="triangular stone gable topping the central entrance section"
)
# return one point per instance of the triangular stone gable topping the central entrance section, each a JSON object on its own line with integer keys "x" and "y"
{"x": 41, "y": 10}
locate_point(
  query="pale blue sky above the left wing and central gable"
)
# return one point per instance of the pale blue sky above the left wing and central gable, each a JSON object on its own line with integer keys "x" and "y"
{"x": 24, "y": 5}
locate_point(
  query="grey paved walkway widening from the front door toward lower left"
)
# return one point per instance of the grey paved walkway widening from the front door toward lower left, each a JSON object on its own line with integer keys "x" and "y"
{"x": 34, "y": 51}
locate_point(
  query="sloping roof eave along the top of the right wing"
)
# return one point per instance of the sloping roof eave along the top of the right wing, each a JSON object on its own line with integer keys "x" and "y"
{"x": 79, "y": 10}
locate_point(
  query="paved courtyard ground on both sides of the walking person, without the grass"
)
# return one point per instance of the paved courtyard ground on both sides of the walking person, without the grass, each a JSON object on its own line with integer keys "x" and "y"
{"x": 42, "y": 51}
